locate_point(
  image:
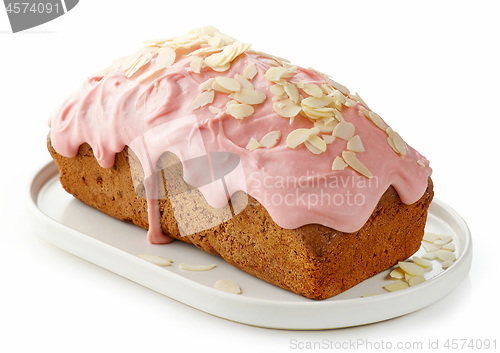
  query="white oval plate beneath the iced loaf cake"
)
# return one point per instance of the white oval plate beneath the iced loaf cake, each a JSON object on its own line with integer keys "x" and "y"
{"x": 114, "y": 245}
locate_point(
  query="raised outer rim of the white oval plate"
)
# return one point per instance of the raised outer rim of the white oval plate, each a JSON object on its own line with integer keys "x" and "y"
{"x": 312, "y": 314}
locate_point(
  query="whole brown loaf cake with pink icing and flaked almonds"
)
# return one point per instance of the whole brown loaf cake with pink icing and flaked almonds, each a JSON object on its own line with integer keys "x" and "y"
{"x": 278, "y": 169}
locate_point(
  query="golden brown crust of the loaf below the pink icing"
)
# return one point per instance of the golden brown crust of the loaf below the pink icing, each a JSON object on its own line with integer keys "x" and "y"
{"x": 315, "y": 261}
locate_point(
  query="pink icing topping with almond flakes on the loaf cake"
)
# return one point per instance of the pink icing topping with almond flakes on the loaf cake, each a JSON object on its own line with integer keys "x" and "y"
{"x": 309, "y": 150}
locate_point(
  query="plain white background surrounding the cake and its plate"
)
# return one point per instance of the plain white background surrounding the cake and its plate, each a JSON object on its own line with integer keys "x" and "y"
{"x": 429, "y": 68}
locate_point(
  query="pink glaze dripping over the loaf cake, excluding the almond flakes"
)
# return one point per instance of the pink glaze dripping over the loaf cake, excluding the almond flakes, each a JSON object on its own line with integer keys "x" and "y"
{"x": 294, "y": 185}
